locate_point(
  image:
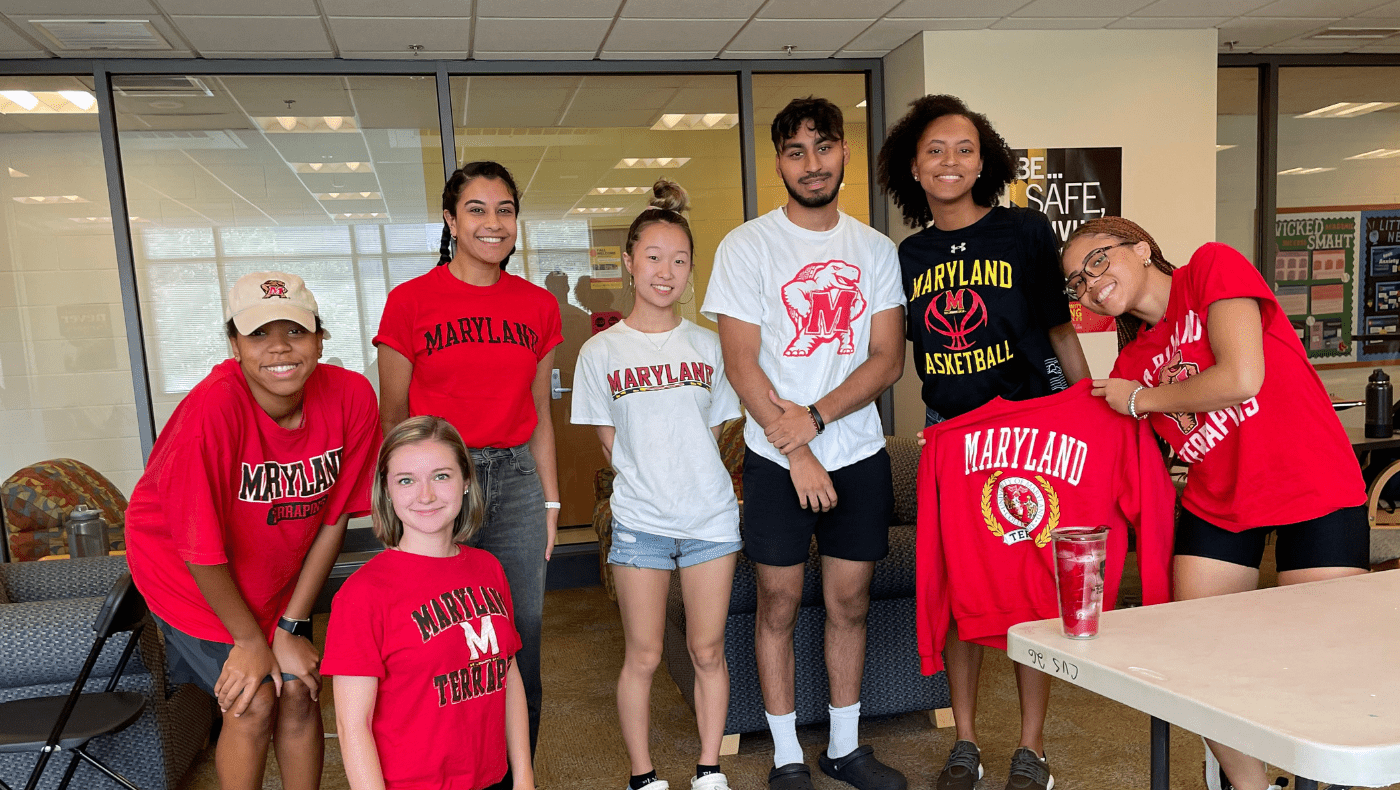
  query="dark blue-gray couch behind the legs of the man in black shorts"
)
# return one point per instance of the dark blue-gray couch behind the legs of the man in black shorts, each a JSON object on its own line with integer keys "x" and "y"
{"x": 892, "y": 681}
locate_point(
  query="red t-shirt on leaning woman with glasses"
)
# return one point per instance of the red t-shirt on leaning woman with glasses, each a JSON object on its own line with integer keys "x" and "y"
{"x": 1280, "y": 457}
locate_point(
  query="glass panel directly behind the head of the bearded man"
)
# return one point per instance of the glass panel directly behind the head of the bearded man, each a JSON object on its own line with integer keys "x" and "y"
{"x": 848, "y": 92}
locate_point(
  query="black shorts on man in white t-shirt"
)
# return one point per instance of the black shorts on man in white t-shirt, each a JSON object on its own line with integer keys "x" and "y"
{"x": 778, "y": 530}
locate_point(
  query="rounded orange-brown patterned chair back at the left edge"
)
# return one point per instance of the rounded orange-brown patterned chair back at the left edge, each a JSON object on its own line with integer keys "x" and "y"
{"x": 40, "y": 497}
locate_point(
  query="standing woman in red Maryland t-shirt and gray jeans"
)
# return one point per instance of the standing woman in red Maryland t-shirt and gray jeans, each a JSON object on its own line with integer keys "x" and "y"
{"x": 474, "y": 344}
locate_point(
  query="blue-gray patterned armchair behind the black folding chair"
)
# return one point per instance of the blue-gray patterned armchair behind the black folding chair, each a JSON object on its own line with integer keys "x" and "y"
{"x": 47, "y": 613}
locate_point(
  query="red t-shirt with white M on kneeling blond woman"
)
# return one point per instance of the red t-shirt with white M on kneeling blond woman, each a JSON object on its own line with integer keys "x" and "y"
{"x": 439, "y": 634}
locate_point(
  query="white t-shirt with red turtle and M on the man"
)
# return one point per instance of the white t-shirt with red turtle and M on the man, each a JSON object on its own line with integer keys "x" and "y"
{"x": 813, "y": 296}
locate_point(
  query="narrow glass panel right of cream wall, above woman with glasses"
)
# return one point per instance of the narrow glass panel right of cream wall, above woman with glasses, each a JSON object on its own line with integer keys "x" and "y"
{"x": 1237, "y": 159}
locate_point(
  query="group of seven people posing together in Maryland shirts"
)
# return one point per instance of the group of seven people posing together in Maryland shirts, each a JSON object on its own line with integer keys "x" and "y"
{"x": 435, "y": 644}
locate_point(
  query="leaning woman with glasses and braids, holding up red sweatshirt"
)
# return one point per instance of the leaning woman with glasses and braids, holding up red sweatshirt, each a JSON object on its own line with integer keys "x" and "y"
{"x": 1210, "y": 359}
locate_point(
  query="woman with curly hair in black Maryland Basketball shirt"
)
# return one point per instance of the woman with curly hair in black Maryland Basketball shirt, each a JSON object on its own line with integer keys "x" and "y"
{"x": 989, "y": 320}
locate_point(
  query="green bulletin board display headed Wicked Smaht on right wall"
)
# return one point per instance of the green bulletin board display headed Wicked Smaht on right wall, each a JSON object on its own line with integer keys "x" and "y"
{"x": 1315, "y": 278}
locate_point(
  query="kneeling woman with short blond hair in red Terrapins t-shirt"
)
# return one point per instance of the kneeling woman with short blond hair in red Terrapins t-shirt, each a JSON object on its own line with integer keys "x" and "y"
{"x": 422, "y": 639}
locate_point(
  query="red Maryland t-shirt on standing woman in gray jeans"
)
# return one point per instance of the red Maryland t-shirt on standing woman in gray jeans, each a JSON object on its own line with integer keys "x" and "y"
{"x": 474, "y": 349}
